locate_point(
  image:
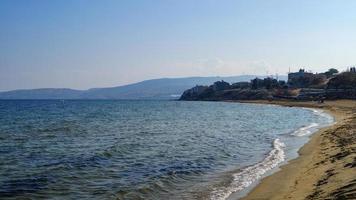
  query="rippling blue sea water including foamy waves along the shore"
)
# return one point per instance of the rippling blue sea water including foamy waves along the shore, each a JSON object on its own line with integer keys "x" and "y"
{"x": 92, "y": 149}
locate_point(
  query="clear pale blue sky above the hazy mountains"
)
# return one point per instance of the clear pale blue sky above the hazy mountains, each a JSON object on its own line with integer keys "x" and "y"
{"x": 82, "y": 44}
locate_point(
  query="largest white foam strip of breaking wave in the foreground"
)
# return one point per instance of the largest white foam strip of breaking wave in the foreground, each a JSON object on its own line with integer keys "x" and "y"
{"x": 247, "y": 176}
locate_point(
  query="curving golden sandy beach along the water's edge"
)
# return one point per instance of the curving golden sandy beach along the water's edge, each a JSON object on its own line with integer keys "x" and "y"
{"x": 326, "y": 167}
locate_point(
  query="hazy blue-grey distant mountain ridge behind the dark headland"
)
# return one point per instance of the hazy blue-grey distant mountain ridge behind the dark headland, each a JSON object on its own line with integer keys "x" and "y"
{"x": 164, "y": 88}
